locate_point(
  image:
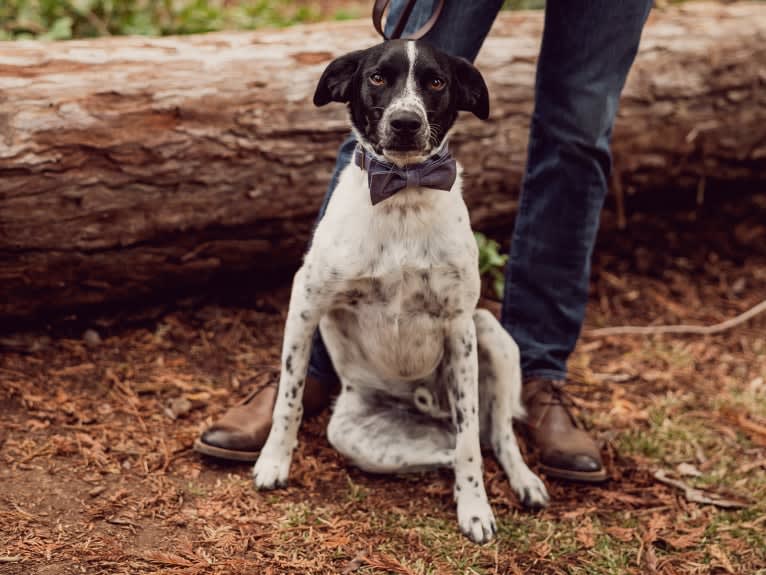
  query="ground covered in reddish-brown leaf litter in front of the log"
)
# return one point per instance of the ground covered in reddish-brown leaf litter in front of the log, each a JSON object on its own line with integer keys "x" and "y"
{"x": 98, "y": 478}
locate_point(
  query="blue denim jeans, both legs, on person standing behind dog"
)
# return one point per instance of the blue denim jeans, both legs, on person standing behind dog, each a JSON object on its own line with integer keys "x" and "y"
{"x": 587, "y": 49}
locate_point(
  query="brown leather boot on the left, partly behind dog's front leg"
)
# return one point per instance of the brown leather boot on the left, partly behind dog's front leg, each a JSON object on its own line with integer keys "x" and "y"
{"x": 241, "y": 432}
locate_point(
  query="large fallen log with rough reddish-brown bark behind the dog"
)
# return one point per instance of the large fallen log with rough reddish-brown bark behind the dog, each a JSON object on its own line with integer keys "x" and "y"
{"x": 132, "y": 166}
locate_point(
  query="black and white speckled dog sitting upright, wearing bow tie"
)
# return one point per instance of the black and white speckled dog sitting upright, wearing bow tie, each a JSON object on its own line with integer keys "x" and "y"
{"x": 393, "y": 285}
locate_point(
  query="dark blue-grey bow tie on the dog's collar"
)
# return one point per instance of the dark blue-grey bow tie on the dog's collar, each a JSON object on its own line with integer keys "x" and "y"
{"x": 385, "y": 179}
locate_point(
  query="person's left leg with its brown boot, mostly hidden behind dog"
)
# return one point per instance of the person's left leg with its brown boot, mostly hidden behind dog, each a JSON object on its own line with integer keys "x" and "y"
{"x": 242, "y": 430}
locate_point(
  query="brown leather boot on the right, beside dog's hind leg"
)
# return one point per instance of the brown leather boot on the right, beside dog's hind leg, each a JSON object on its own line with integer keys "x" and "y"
{"x": 566, "y": 450}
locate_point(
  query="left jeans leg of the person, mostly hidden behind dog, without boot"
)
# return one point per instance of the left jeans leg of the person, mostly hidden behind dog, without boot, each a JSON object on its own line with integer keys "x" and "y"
{"x": 450, "y": 34}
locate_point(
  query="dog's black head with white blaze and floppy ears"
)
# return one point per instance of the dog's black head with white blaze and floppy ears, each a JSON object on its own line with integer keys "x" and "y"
{"x": 403, "y": 96}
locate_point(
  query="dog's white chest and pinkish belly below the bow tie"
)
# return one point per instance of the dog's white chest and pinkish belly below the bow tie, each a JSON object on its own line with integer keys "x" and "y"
{"x": 396, "y": 276}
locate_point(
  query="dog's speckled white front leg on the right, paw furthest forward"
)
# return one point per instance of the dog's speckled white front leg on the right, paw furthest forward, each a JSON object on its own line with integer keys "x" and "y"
{"x": 474, "y": 514}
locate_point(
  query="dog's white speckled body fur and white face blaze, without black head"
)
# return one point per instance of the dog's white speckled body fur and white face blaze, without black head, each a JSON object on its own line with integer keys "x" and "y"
{"x": 426, "y": 377}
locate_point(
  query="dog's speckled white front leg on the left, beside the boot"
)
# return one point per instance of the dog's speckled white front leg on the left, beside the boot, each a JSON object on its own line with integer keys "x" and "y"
{"x": 273, "y": 465}
